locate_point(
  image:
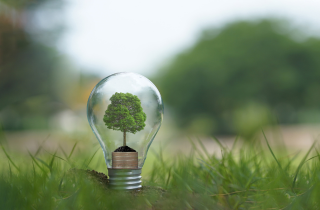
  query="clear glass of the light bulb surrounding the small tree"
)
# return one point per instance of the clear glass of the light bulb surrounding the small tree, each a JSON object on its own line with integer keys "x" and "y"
{"x": 151, "y": 103}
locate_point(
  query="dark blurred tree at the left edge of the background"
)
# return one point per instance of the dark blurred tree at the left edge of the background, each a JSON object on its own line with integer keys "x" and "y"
{"x": 33, "y": 75}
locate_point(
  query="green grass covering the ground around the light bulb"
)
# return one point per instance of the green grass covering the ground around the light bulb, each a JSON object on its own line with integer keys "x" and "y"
{"x": 250, "y": 177}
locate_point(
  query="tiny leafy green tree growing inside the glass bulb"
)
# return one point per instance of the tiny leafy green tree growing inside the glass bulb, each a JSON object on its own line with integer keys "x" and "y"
{"x": 125, "y": 114}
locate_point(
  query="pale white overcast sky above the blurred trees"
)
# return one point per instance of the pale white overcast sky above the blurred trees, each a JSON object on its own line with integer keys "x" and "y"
{"x": 105, "y": 37}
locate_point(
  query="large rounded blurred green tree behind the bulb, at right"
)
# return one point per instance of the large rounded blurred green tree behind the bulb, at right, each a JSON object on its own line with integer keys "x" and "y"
{"x": 234, "y": 80}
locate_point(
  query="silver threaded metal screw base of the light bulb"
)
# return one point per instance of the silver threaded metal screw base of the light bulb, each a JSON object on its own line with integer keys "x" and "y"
{"x": 125, "y": 179}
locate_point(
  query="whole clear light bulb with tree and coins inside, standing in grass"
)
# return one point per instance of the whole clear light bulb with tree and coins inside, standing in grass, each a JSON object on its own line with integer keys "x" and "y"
{"x": 125, "y": 112}
